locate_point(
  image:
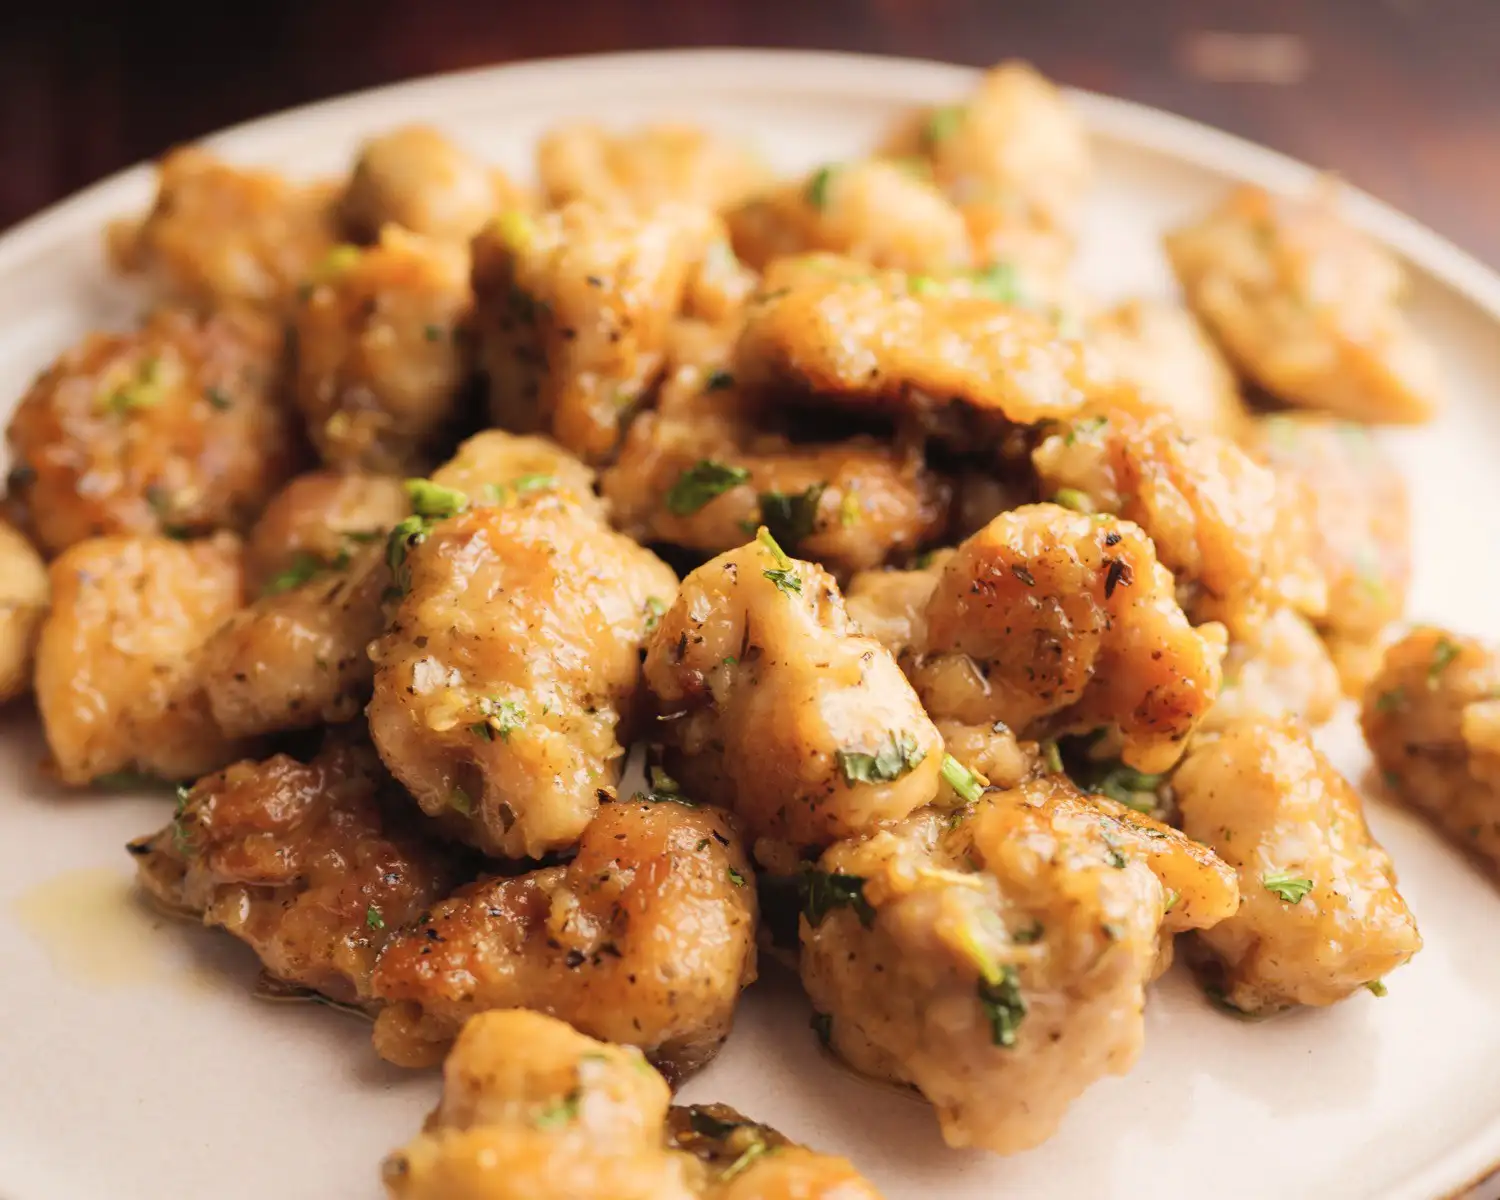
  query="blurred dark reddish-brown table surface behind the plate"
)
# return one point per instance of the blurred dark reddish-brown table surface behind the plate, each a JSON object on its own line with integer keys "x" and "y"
{"x": 1402, "y": 97}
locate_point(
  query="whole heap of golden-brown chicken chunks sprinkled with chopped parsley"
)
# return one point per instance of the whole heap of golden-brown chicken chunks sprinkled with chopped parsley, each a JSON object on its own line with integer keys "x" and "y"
{"x": 1003, "y": 628}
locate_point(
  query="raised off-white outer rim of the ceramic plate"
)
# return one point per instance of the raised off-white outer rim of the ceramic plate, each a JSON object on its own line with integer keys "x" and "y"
{"x": 850, "y": 76}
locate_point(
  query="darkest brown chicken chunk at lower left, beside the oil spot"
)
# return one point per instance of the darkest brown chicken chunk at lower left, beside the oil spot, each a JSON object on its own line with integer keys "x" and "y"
{"x": 313, "y": 865}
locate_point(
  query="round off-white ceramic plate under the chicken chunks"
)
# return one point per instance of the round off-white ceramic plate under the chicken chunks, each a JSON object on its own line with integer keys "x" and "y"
{"x": 136, "y": 1064}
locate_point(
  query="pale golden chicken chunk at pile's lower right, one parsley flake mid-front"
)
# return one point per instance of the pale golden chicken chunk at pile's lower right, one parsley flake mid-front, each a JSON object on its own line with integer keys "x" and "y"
{"x": 1321, "y": 916}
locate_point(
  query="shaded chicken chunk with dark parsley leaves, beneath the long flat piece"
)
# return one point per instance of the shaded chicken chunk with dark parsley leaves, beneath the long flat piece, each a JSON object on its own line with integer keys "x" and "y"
{"x": 704, "y": 467}
